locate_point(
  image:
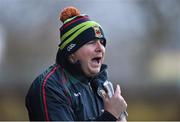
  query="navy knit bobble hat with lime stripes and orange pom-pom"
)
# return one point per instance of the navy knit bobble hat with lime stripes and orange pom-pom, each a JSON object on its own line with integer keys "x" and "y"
{"x": 77, "y": 30}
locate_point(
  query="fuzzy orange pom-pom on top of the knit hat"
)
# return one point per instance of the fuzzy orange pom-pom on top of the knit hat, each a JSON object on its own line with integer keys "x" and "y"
{"x": 69, "y": 12}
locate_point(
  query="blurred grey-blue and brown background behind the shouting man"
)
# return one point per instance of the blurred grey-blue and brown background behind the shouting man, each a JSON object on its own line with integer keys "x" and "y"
{"x": 143, "y": 45}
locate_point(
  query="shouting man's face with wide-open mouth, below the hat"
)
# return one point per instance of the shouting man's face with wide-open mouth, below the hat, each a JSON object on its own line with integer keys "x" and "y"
{"x": 91, "y": 56}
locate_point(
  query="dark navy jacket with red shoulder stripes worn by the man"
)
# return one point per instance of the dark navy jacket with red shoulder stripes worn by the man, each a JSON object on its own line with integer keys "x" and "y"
{"x": 59, "y": 94}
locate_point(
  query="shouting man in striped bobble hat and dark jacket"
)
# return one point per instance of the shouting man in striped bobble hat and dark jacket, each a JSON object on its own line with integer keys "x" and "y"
{"x": 68, "y": 89}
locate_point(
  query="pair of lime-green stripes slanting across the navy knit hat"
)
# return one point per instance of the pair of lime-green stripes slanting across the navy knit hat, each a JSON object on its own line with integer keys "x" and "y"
{"x": 80, "y": 28}
